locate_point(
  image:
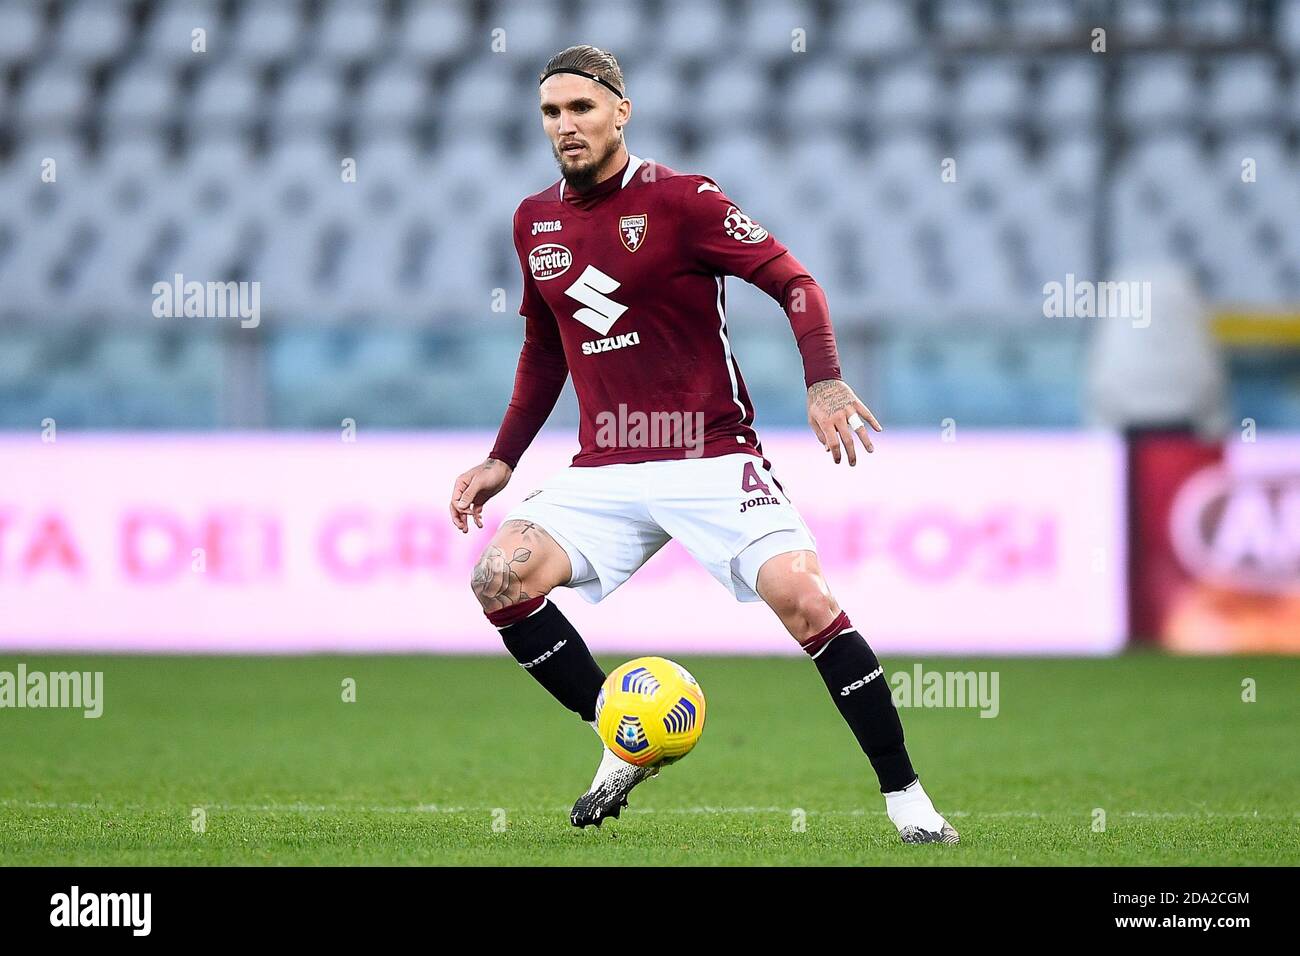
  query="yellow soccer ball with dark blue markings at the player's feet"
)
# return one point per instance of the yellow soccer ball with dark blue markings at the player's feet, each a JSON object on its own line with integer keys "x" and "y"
{"x": 651, "y": 712}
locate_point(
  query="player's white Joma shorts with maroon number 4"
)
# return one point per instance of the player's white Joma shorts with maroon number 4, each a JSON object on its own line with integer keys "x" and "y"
{"x": 729, "y": 512}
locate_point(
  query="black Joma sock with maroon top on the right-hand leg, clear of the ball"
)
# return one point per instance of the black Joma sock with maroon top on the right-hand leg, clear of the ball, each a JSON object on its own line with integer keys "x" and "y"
{"x": 860, "y": 690}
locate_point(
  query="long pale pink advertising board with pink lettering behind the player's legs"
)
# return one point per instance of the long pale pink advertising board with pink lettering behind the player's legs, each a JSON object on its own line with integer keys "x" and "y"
{"x": 995, "y": 543}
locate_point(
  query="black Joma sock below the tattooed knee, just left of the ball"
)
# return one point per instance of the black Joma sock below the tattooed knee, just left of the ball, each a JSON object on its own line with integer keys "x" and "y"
{"x": 548, "y": 647}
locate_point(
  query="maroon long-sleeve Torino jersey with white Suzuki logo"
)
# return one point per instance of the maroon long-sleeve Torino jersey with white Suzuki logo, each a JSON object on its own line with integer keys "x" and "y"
{"x": 625, "y": 291}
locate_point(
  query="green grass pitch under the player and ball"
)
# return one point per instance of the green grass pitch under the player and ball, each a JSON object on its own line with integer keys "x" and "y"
{"x": 467, "y": 762}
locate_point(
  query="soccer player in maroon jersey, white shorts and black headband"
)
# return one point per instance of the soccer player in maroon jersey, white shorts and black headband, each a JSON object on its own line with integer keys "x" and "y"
{"x": 623, "y": 265}
